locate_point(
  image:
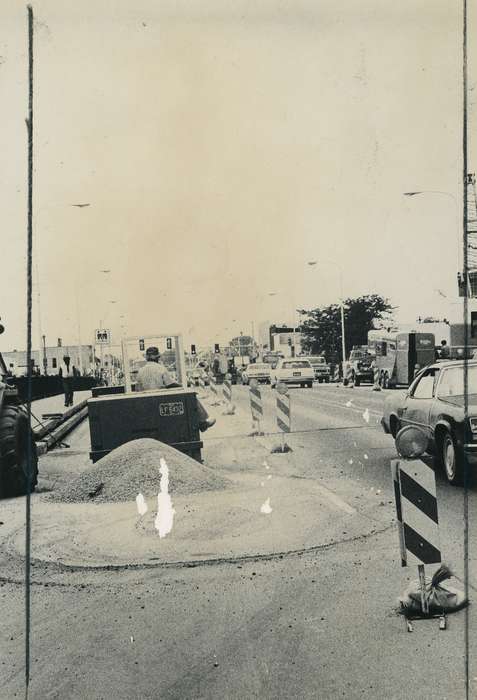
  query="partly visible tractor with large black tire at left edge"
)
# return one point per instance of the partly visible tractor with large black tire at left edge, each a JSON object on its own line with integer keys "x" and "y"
{"x": 17, "y": 441}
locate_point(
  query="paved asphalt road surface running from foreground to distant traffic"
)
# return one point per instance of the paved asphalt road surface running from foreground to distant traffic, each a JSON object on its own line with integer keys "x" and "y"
{"x": 316, "y": 624}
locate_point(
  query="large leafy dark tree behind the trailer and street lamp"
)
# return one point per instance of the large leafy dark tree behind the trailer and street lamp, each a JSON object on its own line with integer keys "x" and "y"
{"x": 321, "y": 329}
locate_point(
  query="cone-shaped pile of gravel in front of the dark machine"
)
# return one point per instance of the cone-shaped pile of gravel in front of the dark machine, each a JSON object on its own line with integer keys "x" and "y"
{"x": 133, "y": 468}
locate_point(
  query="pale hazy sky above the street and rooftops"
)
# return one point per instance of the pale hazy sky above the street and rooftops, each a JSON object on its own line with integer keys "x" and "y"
{"x": 221, "y": 145}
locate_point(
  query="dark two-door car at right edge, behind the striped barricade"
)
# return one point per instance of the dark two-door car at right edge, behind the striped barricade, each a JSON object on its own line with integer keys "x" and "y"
{"x": 434, "y": 402}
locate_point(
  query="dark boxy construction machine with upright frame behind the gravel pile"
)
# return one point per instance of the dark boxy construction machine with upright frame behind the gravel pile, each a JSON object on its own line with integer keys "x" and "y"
{"x": 166, "y": 414}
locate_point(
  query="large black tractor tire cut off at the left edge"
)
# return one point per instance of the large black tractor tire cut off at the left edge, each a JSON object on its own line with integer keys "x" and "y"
{"x": 15, "y": 436}
